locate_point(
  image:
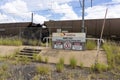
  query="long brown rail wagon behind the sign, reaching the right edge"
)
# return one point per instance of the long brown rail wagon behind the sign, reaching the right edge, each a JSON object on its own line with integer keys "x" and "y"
{"x": 93, "y": 27}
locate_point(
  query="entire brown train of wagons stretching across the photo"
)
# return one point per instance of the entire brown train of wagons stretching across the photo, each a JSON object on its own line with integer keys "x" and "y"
{"x": 93, "y": 28}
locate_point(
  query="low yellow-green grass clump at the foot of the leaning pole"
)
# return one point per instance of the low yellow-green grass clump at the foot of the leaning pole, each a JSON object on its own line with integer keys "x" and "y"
{"x": 98, "y": 67}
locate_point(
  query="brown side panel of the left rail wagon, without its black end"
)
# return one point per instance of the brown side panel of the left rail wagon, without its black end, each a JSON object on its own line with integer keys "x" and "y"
{"x": 13, "y": 29}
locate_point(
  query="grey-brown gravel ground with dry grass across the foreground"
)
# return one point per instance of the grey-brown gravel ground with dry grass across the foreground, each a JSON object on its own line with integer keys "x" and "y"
{"x": 28, "y": 72}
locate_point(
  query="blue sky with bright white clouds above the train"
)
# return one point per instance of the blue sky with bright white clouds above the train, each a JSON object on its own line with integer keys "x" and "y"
{"x": 45, "y": 10}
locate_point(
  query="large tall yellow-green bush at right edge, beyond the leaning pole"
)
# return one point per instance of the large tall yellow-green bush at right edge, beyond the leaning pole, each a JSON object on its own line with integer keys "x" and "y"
{"x": 112, "y": 51}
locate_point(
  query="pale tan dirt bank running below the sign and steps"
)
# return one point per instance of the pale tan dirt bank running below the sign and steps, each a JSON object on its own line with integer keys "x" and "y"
{"x": 87, "y": 58}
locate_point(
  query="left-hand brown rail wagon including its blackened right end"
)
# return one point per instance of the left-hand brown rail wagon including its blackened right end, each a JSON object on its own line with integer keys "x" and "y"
{"x": 26, "y": 30}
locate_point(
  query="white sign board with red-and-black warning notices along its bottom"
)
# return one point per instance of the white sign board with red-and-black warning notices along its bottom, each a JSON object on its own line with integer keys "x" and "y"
{"x": 68, "y": 41}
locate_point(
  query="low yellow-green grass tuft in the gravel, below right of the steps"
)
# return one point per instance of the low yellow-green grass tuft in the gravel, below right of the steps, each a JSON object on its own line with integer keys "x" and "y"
{"x": 42, "y": 70}
